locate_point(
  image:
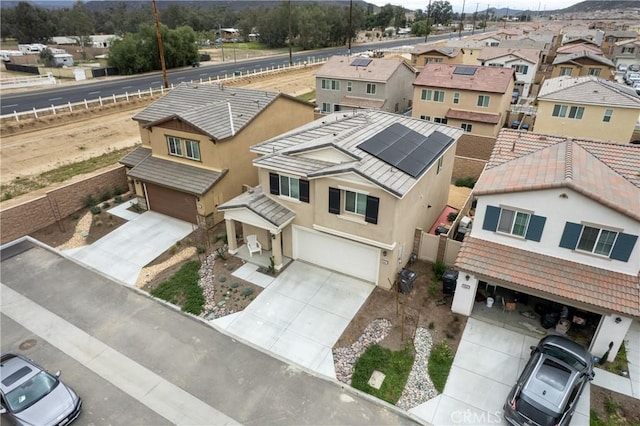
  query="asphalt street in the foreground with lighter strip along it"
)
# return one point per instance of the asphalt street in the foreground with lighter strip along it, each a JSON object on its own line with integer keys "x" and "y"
{"x": 156, "y": 364}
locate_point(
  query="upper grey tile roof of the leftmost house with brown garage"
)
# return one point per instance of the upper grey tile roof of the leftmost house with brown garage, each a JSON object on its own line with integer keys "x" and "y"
{"x": 216, "y": 110}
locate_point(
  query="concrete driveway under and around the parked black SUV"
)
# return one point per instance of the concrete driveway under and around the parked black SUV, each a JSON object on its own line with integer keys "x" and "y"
{"x": 485, "y": 368}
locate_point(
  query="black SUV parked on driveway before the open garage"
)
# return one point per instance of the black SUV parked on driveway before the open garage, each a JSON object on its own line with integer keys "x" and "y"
{"x": 547, "y": 391}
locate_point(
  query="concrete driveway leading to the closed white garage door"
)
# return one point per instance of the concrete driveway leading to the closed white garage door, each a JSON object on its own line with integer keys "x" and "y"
{"x": 300, "y": 315}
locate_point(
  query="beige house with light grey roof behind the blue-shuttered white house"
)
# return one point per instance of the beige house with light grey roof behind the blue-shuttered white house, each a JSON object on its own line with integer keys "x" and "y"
{"x": 587, "y": 107}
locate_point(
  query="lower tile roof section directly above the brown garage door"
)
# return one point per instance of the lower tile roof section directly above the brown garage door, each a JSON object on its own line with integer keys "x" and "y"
{"x": 176, "y": 175}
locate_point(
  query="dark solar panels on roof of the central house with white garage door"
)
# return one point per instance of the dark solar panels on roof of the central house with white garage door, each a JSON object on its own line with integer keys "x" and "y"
{"x": 406, "y": 149}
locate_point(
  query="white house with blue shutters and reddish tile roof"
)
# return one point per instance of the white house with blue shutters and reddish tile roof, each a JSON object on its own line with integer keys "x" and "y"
{"x": 557, "y": 221}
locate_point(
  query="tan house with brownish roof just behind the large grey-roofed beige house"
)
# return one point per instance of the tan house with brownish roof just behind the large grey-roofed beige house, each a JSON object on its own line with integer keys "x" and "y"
{"x": 581, "y": 64}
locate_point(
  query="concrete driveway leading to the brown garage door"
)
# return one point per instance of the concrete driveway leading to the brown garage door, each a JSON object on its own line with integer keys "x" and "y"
{"x": 123, "y": 253}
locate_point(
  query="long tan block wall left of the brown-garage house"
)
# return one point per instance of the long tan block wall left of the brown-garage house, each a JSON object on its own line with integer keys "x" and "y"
{"x": 30, "y": 216}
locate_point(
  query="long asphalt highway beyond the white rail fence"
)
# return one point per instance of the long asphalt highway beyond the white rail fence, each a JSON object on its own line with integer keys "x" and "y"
{"x": 105, "y": 88}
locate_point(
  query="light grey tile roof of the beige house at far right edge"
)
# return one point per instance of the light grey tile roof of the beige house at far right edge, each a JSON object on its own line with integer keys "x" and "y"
{"x": 588, "y": 90}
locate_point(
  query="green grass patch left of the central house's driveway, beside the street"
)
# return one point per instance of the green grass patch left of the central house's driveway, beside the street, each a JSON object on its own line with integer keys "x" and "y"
{"x": 182, "y": 289}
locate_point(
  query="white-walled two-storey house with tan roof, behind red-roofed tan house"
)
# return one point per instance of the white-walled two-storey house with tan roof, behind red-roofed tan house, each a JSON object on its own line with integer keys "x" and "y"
{"x": 525, "y": 62}
